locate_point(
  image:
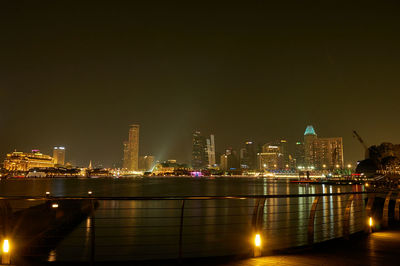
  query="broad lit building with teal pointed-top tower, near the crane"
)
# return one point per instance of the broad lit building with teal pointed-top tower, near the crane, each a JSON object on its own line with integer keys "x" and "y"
{"x": 322, "y": 153}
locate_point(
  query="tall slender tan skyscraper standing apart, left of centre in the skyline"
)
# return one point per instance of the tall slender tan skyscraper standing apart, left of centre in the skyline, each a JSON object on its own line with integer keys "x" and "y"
{"x": 131, "y": 149}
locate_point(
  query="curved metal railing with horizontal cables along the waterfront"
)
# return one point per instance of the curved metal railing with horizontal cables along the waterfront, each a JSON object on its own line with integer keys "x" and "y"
{"x": 141, "y": 228}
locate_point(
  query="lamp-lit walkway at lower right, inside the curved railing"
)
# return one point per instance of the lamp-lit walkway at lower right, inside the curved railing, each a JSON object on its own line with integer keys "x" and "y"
{"x": 379, "y": 248}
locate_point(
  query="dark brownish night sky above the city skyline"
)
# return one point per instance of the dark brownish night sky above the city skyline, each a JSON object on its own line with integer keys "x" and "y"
{"x": 77, "y": 73}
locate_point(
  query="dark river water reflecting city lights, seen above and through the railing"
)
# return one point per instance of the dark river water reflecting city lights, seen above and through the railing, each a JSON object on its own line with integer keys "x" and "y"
{"x": 136, "y": 230}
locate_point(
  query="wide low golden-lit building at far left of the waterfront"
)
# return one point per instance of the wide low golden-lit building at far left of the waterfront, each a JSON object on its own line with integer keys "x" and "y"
{"x": 21, "y": 161}
